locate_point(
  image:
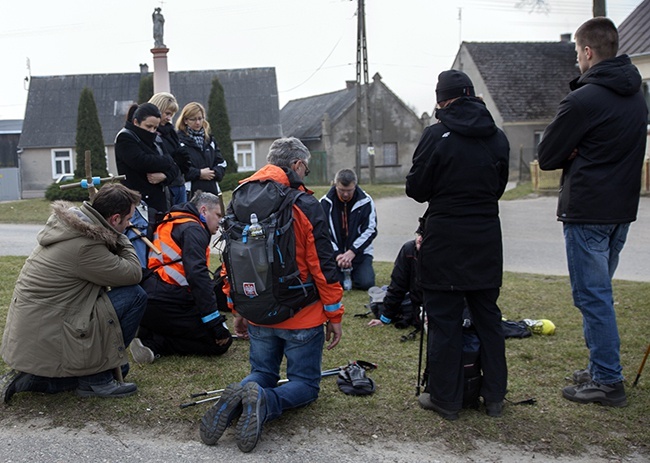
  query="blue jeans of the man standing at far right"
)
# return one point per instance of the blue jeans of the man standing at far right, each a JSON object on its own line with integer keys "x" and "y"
{"x": 592, "y": 255}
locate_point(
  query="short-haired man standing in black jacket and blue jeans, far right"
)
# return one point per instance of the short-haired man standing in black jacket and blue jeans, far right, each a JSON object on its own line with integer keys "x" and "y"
{"x": 598, "y": 139}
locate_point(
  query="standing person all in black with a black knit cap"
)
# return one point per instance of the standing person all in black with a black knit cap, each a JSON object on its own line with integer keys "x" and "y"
{"x": 461, "y": 168}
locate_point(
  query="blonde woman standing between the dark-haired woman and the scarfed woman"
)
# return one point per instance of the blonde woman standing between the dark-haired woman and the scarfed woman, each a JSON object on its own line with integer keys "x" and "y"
{"x": 168, "y": 106}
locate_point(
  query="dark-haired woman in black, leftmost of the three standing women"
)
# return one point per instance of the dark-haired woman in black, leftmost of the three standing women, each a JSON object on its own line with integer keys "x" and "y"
{"x": 139, "y": 155}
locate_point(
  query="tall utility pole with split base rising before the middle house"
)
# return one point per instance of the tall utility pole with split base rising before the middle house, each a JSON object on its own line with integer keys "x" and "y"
{"x": 362, "y": 94}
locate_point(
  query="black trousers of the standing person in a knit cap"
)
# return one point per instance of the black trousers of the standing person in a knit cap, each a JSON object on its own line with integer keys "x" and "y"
{"x": 444, "y": 310}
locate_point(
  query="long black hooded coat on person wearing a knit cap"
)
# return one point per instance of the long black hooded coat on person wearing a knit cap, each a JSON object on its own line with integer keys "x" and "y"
{"x": 460, "y": 167}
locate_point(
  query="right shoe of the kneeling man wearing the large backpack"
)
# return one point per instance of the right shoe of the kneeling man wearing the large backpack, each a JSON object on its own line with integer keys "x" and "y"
{"x": 249, "y": 426}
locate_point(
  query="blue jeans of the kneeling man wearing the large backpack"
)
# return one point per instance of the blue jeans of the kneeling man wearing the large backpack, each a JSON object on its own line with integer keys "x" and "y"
{"x": 303, "y": 350}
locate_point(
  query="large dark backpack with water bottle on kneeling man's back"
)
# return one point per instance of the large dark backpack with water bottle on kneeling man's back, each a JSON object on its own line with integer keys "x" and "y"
{"x": 264, "y": 278}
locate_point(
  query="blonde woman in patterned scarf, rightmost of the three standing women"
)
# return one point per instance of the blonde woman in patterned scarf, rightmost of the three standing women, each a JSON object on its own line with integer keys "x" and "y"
{"x": 208, "y": 165}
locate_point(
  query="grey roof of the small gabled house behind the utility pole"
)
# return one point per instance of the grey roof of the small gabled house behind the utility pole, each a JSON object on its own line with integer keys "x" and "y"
{"x": 302, "y": 118}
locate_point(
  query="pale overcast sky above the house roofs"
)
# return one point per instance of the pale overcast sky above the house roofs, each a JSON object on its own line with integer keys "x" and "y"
{"x": 311, "y": 43}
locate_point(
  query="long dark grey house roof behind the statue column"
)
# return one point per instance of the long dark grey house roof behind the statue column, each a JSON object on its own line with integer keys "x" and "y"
{"x": 51, "y": 112}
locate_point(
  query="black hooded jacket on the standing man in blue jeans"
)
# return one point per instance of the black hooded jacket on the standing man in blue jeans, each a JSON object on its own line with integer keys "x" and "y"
{"x": 605, "y": 118}
